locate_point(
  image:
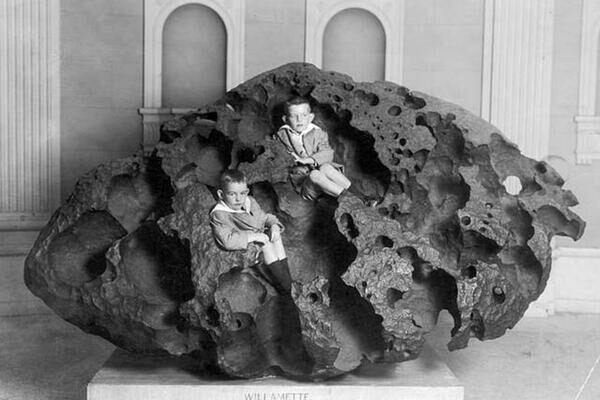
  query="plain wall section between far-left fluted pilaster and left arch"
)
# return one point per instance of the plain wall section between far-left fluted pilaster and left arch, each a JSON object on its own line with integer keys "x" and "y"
{"x": 101, "y": 83}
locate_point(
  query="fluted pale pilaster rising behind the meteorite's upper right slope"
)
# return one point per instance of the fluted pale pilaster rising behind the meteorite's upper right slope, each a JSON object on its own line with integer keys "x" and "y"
{"x": 517, "y": 71}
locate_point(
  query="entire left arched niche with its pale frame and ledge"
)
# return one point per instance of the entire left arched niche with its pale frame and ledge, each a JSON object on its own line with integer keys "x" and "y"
{"x": 176, "y": 57}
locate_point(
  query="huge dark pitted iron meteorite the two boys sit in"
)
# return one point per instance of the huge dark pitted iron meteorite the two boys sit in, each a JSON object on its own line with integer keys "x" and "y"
{"x": 130, "y": 256}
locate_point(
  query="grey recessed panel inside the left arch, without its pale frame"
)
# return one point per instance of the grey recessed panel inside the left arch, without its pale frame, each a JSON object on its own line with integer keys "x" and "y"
{"x": 194, "y": 57}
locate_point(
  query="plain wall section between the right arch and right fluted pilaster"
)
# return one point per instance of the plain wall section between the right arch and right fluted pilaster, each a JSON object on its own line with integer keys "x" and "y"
{"x": 444, "y": 49}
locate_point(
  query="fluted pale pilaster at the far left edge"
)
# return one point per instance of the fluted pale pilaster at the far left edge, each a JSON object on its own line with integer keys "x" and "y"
{"x": 29, "y": 112}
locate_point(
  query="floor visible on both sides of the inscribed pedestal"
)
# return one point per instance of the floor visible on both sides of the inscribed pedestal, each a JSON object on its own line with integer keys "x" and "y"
{"x": 42, "y": 357}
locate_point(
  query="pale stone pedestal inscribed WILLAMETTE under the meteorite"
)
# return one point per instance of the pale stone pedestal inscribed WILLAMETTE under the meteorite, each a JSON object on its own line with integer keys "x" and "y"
{"x": 132, "y": 377}
